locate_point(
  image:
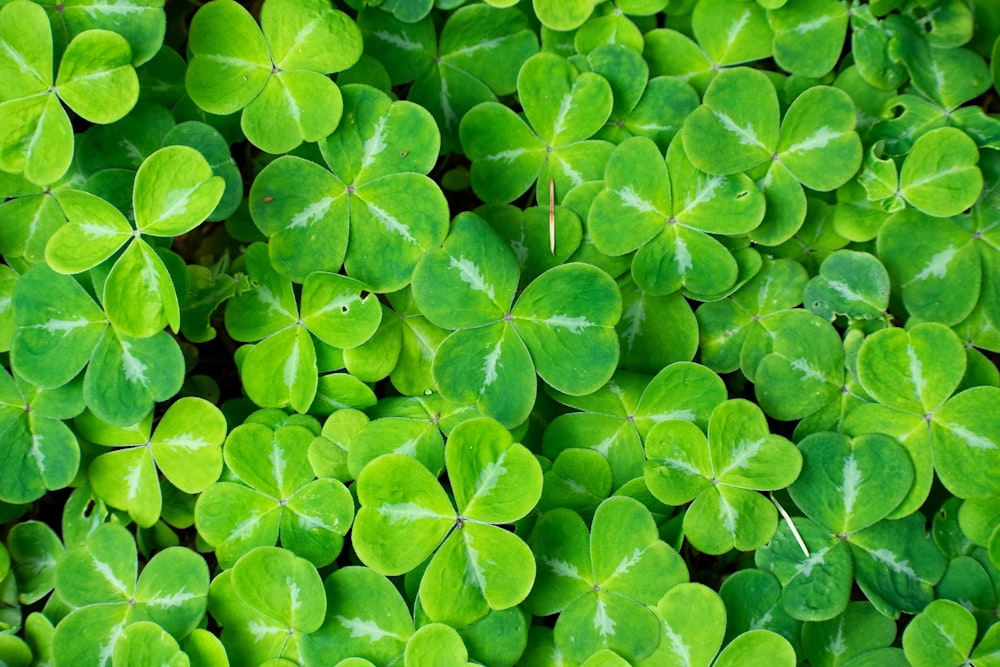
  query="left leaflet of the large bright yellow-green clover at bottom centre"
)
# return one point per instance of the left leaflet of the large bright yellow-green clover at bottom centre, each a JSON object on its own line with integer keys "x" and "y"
{"x": 404, "y": 514}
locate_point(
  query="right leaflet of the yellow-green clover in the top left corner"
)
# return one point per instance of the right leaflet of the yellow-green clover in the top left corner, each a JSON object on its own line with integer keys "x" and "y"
{"x": 96, "y": 78}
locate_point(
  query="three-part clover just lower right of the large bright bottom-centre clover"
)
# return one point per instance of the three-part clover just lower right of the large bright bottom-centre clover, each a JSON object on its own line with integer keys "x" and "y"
{"x": 601, "y": 582}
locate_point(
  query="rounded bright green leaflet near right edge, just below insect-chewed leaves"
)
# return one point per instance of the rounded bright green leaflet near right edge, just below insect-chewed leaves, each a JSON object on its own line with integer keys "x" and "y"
{"x": 940, "y": 176}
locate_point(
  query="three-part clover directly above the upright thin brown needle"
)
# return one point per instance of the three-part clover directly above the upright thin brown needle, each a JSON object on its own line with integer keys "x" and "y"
{"x": 563, "y": 109}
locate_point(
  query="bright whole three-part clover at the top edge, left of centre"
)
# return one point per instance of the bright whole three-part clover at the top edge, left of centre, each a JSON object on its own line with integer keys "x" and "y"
{"x": 277, "y": 70}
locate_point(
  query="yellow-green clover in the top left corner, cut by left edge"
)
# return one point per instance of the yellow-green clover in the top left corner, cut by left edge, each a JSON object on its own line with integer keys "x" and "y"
{"x": 95, "y": 80}
